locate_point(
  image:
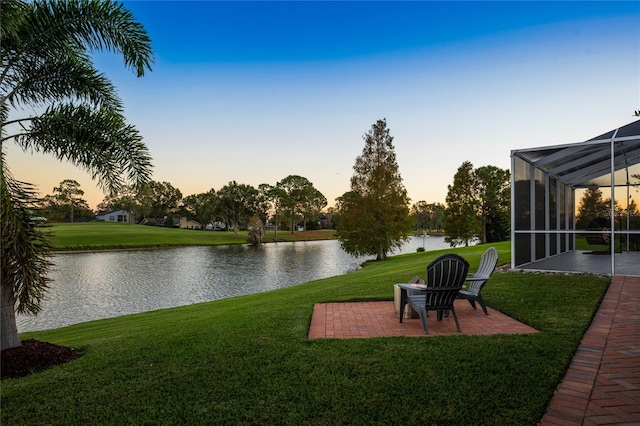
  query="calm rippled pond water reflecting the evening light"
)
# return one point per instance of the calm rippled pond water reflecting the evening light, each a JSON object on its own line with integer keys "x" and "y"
{"x": 90, "y": 286}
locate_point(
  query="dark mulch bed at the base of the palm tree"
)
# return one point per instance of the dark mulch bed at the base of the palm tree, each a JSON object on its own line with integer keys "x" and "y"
{"x": 34, "y": 356}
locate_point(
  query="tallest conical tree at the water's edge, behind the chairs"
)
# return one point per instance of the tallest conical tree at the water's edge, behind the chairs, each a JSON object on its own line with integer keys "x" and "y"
{"x": 374, "y": 214}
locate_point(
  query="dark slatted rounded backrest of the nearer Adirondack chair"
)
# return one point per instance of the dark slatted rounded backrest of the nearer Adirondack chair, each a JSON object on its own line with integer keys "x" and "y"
{"x": 445, "y": 277}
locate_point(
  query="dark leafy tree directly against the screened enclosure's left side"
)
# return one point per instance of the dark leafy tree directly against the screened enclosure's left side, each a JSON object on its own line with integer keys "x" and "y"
{"x": 494, "y": 193}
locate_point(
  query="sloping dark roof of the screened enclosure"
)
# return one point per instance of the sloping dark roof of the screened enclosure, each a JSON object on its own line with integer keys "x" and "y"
{"x": 588, "y": 163}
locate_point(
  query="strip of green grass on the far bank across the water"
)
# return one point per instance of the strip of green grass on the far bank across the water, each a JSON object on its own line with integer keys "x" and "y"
{"x": 102, "y": 235}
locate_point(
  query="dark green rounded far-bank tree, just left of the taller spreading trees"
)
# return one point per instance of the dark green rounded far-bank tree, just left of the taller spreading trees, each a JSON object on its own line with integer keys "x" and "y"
{"x": 236, "y": 204}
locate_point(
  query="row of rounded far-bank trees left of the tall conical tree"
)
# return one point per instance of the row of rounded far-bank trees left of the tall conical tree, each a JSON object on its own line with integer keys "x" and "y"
{"x": 293, "y": 201}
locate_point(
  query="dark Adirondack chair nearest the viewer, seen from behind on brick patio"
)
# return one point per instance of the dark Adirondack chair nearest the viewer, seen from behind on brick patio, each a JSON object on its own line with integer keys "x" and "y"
{"x": 445, "y": 276}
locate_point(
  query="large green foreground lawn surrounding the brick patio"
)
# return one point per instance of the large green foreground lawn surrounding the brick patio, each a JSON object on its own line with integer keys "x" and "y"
{"x": 246, "y": 360}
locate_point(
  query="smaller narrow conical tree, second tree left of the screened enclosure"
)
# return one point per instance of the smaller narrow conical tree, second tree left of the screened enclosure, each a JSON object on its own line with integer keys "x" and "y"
{"x": 462, "y": 222}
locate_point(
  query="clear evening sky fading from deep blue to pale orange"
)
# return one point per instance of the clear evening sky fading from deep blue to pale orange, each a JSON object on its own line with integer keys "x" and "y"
{"x": 257, "y": 91}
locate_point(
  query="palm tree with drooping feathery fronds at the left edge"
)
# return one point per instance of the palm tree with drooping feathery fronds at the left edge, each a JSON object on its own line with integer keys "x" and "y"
{"x": 46, "y": 68}
